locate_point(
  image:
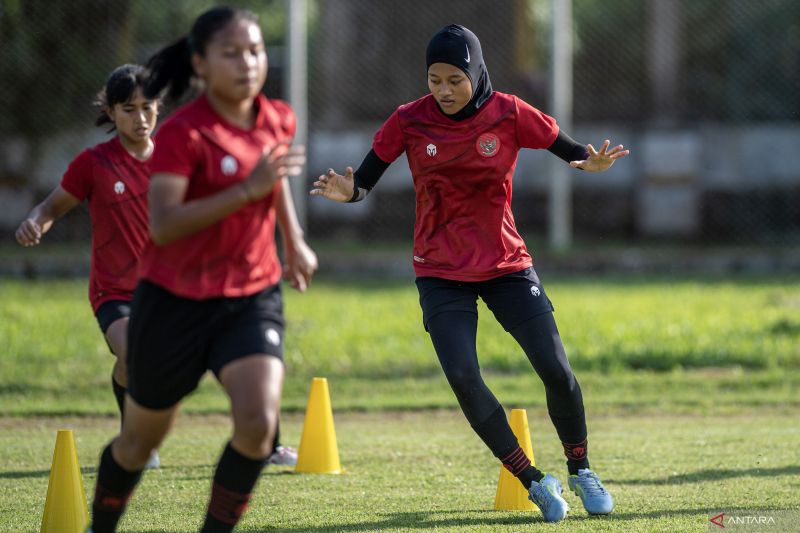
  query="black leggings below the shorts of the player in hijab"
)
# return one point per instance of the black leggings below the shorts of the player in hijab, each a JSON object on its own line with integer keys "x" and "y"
{"x": 454, "y": 335}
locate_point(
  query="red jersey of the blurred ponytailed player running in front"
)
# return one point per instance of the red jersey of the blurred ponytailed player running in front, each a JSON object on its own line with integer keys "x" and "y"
{"x": 235, "y": 256}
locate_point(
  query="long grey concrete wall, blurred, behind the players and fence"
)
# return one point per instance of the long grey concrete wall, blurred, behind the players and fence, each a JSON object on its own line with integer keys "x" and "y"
{"x": 706, "y": 182}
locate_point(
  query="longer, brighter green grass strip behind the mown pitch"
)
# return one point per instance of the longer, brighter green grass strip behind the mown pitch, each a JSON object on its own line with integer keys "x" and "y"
{"x": 695, "y": 344}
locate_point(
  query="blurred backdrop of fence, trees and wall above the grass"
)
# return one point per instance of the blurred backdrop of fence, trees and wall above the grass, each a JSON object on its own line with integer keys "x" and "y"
{"x": 703, "y": 92}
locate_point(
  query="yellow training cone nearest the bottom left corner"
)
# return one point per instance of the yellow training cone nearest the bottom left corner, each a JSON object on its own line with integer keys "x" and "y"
{"x": 65, "y": 508}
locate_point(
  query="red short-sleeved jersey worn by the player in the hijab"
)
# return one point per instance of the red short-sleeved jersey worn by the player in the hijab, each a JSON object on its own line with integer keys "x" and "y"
{"x": 462, "y": 170}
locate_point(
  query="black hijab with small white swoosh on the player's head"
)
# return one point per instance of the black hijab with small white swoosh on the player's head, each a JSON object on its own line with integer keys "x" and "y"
{"x": 457, "y": 46}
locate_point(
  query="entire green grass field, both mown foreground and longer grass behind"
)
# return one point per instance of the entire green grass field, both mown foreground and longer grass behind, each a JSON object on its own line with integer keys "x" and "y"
{"x": 691, "y": 387}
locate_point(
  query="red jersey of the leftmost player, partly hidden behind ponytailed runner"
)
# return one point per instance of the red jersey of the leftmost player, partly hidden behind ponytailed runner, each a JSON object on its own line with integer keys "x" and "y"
{"x": 115, "y": 184}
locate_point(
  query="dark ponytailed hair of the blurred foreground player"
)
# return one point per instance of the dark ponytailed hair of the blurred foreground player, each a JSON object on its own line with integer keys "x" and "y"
{"x": 171, "y": 67}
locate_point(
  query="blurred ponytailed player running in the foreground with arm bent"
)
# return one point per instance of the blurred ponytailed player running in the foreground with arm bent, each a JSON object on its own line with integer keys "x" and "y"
{"x": 209, "y": 296}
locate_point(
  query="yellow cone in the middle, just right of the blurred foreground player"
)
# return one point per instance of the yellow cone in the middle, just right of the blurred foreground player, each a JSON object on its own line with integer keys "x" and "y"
{"x": 318, "y": 453}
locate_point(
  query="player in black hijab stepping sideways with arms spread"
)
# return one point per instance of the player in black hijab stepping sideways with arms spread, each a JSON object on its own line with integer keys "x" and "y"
{"x": 462, "y": 142}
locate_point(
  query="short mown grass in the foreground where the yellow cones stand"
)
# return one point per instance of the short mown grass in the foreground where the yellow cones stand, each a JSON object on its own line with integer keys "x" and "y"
{"x": 426, "y": 470}
